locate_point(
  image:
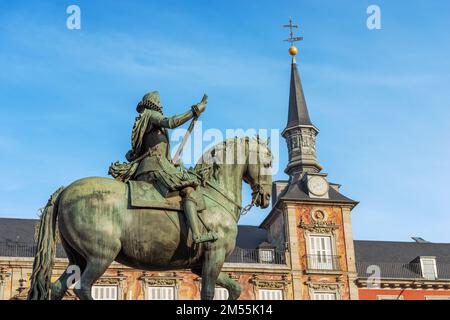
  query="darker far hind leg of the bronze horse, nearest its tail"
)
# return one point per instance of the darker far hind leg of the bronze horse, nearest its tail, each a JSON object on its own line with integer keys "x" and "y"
{"x": 59, "y": 288}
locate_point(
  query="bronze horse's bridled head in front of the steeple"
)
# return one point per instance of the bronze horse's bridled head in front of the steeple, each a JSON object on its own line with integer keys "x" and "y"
{"x": 258, "y": 172}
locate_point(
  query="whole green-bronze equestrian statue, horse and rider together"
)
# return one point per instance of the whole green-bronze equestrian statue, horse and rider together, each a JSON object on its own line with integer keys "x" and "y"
{"x": 137, "y": 218}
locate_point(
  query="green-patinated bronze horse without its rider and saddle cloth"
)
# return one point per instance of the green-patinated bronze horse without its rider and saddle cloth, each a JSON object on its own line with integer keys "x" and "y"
{"x": 98, "y": 224}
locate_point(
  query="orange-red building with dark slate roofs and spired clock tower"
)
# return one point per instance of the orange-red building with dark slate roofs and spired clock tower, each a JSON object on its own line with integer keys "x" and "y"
{"x": 303, "y": 250}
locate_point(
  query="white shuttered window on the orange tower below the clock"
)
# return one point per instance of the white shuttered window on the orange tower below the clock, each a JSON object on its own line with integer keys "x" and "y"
{"x": 320, "y": 255}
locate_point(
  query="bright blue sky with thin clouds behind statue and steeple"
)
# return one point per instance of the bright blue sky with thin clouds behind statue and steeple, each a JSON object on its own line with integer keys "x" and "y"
{"x": 380, "y": 97}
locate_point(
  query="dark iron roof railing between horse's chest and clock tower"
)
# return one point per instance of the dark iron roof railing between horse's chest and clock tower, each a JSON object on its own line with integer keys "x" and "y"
{"x": 261, "y": 256}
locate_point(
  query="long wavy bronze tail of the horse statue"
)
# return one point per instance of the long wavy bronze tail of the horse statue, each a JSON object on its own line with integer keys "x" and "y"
{"x": 45, "y": 251}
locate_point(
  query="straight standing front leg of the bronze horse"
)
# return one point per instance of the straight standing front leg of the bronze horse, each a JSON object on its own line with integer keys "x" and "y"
{"x": 212, "y": 265}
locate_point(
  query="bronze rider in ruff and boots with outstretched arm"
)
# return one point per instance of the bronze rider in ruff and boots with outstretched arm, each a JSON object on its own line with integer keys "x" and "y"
{"x": 150, "y": 136}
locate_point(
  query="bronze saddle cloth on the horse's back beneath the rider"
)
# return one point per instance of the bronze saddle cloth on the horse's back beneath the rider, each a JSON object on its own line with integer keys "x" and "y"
{"x": 145, "y": 195}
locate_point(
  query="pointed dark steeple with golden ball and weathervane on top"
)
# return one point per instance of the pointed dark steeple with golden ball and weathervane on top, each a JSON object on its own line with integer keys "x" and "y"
{"x": 300, "y": 133}
